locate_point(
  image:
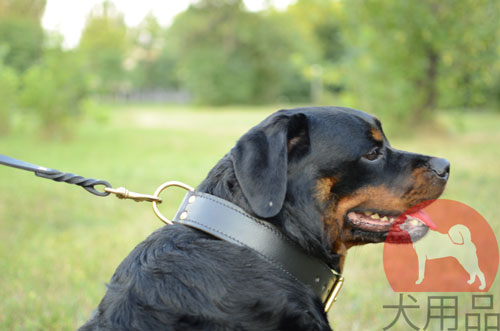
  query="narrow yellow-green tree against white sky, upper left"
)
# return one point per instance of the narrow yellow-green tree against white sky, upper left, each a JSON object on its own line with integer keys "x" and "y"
{"x": 104, "y": 45}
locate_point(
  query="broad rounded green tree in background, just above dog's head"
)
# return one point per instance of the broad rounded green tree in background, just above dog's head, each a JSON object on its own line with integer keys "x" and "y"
{"x": 226, "y": 54}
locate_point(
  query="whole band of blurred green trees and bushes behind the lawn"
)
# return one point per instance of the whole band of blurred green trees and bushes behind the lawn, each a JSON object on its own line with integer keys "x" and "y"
{"x": 403, "y": 58}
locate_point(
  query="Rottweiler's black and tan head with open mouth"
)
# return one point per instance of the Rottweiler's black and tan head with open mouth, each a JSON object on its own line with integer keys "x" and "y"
{"x": 329, "y": 174}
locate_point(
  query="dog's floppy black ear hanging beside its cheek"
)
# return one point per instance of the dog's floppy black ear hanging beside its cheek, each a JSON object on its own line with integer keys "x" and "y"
{"x": 260, "y": 160}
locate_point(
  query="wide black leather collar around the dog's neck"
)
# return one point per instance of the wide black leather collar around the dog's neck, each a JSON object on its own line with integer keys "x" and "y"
{"x": 228, "y": 222}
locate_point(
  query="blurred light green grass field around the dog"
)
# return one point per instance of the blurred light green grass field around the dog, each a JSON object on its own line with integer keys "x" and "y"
{"x": 59, "y": 245}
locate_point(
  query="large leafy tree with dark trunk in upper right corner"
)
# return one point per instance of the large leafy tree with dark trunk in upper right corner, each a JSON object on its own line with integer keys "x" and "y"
{"x": 409, "y": 56}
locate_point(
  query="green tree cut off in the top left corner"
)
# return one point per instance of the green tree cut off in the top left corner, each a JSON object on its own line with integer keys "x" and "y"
{"x": 21, "y": 31}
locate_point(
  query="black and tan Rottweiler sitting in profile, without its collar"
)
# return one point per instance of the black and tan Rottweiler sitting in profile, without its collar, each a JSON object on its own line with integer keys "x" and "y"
{"x": 334, "y": 182}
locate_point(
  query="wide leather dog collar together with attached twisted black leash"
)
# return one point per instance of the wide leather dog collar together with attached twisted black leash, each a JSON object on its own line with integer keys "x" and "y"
{"x": 221, "y": 219}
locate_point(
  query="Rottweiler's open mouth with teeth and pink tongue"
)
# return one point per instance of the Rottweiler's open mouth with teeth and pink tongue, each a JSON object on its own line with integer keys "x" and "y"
{"x": 382, "y": 221}
